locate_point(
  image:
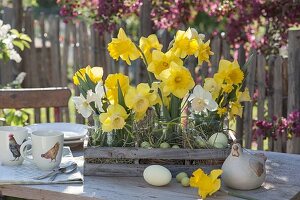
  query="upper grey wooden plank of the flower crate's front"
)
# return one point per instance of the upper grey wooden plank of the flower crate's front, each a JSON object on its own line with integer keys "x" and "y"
{"x": 140, "y": 153}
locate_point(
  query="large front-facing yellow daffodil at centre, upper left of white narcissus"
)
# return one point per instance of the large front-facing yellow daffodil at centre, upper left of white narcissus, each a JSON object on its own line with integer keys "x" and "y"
{"x": 177, "y": 80}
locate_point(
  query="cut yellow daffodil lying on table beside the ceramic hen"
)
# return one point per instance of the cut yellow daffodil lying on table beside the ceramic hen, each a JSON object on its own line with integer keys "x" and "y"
{"x": 206, "y": 184}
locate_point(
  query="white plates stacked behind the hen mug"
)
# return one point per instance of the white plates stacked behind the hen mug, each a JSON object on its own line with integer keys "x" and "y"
{"x": 71, "y": 131}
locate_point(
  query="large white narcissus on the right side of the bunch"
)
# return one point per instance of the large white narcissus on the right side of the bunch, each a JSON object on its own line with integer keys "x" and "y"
{"x": 201, "y": 100}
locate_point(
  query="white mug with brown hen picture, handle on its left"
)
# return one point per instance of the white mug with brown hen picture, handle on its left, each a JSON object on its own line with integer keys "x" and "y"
{"x": 46, "y": 149}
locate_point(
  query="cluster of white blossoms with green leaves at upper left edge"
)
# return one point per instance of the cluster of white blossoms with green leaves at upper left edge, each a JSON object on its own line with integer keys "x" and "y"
{"x": 9, "y": 38}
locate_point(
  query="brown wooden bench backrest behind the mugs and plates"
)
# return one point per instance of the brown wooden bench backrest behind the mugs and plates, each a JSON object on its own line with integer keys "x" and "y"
{"x": 37, "y": 98}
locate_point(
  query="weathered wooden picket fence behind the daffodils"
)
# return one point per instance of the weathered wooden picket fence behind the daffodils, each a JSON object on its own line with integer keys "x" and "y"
{"x": 59, "y": 49}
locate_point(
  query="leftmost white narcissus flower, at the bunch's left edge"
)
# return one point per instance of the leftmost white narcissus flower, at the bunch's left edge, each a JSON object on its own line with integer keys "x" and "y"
{"x": 83, "y": 105}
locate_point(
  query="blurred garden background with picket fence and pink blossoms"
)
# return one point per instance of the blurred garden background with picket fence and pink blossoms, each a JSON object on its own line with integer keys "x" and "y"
{"x": 70, "y": 34}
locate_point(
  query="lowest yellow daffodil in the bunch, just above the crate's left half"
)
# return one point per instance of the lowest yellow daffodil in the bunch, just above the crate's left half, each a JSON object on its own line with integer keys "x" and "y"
{"x": 114, "y": 118}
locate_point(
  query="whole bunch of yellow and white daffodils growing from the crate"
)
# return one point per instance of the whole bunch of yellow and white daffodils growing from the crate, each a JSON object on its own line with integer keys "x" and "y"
{"x": 170, "y": 90}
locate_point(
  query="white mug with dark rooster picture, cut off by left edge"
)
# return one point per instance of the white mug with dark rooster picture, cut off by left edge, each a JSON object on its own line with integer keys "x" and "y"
{"x": 11, "y": 138}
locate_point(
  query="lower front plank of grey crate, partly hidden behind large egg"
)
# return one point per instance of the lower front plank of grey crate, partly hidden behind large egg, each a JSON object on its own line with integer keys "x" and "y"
{"x": 91, "y": 169}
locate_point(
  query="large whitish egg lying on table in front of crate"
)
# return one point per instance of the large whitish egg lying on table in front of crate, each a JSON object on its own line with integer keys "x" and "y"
{"x": 157, "y": 175}
